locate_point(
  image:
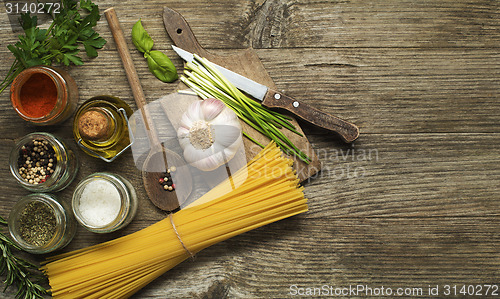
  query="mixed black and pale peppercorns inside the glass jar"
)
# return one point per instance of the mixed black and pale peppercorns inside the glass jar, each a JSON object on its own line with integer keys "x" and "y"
{"x": 37, "y": 161}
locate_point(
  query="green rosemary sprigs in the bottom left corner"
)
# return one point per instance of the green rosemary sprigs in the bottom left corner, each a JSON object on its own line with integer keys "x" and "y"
{"x": 21, "y": 273}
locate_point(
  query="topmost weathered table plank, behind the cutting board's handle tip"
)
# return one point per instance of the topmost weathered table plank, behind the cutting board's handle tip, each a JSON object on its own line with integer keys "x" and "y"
{"x": 324, "y": 24}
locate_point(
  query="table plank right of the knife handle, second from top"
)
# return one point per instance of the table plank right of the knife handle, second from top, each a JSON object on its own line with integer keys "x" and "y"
{"x": 396, "y": 90}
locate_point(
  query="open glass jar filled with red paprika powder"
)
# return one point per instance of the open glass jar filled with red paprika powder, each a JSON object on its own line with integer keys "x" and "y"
{"x": 44, "y": 95}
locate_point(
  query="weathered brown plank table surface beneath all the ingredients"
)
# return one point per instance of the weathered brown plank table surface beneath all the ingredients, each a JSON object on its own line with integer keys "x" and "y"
{"x": 413, "y": 203}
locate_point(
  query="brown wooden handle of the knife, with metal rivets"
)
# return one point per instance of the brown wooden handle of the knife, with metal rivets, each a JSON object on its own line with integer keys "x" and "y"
{"x": 348, "y": 131}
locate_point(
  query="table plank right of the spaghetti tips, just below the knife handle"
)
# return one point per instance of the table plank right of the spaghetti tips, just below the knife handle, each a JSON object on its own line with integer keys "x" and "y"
{"x": 407, "y": 176}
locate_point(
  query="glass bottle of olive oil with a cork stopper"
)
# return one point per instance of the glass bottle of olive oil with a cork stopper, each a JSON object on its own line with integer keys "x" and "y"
{"x": 101, "y": 127}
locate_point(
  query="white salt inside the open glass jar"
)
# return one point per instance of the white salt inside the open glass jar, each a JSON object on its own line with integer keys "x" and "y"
{"x": 99, "y": 203}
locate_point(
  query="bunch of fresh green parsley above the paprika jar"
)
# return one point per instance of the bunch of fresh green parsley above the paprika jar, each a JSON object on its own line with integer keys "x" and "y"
{"x": 60, "y": 43}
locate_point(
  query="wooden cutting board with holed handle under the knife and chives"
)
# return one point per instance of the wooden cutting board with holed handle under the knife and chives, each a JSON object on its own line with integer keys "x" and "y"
{"x": 248, "y": 64}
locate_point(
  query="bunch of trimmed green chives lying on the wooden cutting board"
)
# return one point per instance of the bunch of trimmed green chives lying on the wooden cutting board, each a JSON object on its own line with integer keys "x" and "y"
{"x": 207, "y": 82}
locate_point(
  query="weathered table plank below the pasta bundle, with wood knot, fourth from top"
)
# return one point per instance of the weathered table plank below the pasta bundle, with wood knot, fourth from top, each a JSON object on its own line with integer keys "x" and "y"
{"x": 389, "y": 252}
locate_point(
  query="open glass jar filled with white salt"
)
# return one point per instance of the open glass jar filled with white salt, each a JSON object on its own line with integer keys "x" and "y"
{"x": 104, "y": 202}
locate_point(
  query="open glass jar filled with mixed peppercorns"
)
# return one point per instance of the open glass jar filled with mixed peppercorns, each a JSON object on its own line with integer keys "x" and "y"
{"x": 41, "y": 162}
